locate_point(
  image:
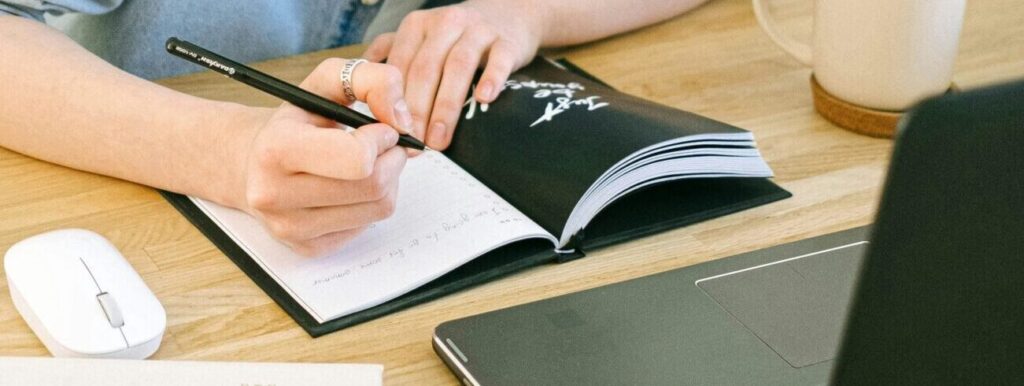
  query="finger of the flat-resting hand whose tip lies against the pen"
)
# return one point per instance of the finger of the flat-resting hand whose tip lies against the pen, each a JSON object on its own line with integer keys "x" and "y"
{"x": 425, "y": 74}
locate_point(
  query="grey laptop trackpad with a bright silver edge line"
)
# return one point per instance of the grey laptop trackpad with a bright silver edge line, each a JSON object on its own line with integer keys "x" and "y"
{"x": 796, "y": 307}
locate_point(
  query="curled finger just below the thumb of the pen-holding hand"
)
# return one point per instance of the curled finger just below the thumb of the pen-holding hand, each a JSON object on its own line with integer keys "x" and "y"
{"x": 309, "y": 191}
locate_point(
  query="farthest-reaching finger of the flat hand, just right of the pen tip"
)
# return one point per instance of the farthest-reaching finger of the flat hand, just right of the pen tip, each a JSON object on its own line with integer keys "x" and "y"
{"x": 460, "y": 67}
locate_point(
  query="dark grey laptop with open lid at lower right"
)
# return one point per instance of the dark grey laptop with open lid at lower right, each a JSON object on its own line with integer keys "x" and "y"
{"x": 932, "y": 294}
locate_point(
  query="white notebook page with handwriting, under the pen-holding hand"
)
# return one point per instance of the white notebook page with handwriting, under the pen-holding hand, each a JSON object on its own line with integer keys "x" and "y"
{"x": 445, "y": 218}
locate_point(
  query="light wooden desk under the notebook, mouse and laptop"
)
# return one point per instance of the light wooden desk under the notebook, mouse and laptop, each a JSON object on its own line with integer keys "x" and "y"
{"x": 713, "y": 62}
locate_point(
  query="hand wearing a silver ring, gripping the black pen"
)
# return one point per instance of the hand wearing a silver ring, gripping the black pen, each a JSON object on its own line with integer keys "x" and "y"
{"x": 316, "y": 187}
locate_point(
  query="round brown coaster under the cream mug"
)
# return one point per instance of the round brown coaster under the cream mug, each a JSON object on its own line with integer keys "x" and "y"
{"x": 859, "y": 119}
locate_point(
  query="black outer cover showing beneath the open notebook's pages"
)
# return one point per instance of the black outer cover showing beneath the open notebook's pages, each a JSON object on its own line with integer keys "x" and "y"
{"x": 651, "y": 210}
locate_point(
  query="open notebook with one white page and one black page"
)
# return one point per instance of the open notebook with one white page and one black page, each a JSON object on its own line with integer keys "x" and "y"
{"x": 535, "y": 167}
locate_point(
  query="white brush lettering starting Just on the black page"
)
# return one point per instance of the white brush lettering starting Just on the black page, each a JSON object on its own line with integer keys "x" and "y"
{"x": 564, "y": 94}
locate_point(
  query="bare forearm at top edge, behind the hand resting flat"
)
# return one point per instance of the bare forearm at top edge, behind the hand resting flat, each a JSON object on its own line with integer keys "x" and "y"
{"x": 573, "y": 22}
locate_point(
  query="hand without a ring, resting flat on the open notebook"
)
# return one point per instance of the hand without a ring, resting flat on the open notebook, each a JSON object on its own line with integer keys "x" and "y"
{"x": 439, "y": 52}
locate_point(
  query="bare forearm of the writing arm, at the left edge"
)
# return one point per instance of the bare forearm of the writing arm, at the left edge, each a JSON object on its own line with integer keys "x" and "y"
{"x": 63, "y": 105}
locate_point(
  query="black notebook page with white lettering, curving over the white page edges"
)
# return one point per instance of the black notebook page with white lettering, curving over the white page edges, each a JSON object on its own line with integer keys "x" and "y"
{"x": 552, "y": 135}
